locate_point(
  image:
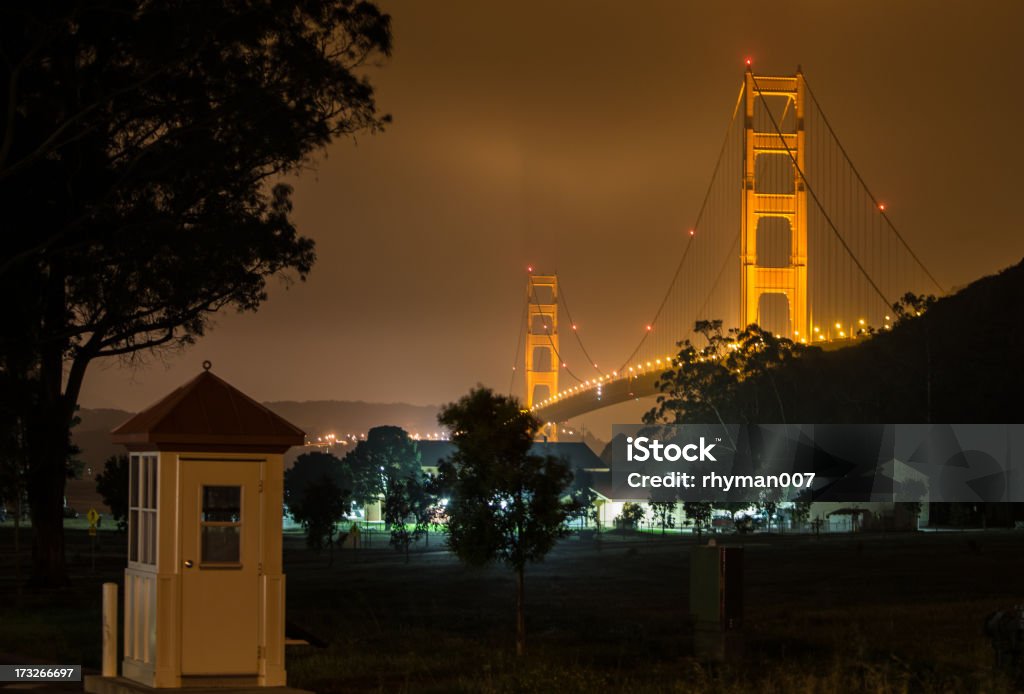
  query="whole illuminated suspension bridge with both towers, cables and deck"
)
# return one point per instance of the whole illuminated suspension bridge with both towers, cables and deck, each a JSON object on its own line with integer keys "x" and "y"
{"x": 789, "y": 237}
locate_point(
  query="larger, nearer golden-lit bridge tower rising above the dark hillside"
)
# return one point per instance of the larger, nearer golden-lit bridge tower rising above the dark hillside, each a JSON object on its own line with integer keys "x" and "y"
{"x": 791, "y": 280}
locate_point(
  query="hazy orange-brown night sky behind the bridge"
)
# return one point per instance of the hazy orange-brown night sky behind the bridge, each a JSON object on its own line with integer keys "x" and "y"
{"x": 576, "y": 137}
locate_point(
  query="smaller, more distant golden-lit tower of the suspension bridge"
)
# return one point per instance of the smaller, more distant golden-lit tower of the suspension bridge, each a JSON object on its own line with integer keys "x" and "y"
{"x": 542, "y": 340}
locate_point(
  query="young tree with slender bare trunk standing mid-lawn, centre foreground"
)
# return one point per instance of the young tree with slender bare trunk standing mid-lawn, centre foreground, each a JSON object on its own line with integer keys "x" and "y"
{"x": 505, "y": 504}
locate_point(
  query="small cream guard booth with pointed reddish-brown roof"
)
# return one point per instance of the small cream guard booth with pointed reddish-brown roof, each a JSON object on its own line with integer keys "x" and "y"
{"x": 204, "y": 599}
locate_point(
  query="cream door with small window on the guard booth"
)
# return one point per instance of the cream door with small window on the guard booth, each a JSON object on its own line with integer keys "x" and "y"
{"x": 221, "y": 610}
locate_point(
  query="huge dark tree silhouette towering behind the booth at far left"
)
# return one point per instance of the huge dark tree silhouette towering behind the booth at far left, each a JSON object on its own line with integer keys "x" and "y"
{"x": 142, "y": 149}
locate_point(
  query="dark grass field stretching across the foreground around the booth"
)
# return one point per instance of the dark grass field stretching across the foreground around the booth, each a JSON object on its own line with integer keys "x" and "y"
{"x": 873, "y": 614}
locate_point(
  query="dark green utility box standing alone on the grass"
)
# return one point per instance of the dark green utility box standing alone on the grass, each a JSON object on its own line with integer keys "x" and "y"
{"x": 717, "y": 600}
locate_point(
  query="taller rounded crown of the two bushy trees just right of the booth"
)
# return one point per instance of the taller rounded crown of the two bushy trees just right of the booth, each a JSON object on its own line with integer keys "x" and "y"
{"x": 388, "y": 454}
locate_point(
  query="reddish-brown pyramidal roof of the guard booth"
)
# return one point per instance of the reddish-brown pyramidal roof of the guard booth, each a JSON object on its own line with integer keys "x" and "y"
{"x": 208, "y": 414}
